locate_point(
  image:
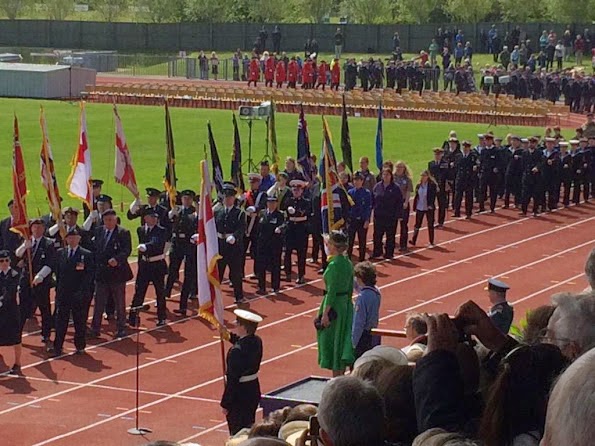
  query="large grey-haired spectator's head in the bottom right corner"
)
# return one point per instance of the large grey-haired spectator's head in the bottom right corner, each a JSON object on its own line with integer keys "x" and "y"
{"x": 570, "y": 410}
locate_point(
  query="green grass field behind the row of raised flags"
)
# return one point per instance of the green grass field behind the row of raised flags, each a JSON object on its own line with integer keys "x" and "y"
{"x": 411, "y": 141}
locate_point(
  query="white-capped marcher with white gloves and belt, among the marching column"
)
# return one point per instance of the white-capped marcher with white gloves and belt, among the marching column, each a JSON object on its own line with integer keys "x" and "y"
{"x": 298, "y": 209}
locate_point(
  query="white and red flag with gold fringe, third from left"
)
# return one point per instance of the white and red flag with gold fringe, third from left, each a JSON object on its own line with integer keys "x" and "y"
{"x": 79, "y": 182}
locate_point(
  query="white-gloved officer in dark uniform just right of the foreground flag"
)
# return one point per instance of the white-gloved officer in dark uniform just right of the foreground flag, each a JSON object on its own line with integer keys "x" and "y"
{"x": 231, "y": 229}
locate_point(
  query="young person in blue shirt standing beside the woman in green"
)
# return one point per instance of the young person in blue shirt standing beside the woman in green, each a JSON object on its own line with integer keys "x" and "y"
{"x": 367, "y": 308}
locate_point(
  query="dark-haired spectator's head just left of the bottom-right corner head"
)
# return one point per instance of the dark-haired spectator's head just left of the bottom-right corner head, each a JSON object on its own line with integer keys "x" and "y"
{"x": 516, "y": 403}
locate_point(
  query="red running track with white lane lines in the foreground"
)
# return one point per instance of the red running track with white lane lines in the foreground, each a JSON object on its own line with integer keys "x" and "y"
{"x": 89, "y": 399}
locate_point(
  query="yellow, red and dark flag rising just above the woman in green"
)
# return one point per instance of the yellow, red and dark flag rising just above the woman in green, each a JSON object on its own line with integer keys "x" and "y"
{"x": 330, "y": 200}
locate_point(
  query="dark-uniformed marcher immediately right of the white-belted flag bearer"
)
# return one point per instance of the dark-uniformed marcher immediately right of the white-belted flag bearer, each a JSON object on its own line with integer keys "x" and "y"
{"x": 183, "y": 222}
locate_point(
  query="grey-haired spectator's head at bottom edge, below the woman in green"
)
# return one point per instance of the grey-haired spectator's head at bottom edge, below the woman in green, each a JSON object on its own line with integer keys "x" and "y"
{"x": 351, "y": 413}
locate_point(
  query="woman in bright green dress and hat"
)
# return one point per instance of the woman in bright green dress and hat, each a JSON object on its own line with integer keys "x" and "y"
{"x": 335, "y": 349}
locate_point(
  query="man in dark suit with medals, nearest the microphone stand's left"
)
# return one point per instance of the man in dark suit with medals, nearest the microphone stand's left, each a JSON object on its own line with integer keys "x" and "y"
{"x": 74, "y": 274}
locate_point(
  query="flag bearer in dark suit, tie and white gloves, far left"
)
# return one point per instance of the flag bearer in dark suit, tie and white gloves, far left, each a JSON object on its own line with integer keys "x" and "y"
{"x": 36, "y": 280}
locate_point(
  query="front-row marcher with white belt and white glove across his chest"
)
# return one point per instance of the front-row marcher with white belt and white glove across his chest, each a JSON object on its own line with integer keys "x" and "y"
{"x": 151, "y": 267}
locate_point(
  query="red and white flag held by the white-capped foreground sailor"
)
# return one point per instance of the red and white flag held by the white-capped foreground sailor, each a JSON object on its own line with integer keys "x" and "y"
{"x": 210, "y": 302}
